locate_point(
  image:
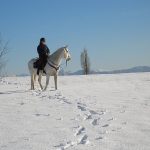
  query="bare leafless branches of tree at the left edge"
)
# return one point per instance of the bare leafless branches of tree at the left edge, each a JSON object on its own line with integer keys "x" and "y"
{"x": 3, "y": 52}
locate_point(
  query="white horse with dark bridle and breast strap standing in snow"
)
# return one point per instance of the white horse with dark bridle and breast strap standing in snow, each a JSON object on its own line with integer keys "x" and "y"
{"x": 51, "y": 68}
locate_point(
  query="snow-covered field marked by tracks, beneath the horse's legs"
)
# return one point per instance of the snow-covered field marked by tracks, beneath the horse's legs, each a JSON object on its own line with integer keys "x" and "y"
{"x": 96, "y": 112}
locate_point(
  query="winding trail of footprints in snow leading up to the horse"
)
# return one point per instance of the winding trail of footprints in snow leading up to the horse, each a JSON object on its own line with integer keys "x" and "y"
{"x": 98, "y": 120}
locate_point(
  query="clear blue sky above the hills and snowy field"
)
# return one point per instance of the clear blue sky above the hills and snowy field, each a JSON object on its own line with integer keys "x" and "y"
{"x": 116, "y": 33}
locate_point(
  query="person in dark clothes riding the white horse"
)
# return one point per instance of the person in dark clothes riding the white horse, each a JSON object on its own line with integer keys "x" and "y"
{"x": 43, "y": 52}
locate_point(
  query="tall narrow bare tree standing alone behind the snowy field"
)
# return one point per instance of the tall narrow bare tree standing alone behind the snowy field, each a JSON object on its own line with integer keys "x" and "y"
{"x": 85, "y": 62}
